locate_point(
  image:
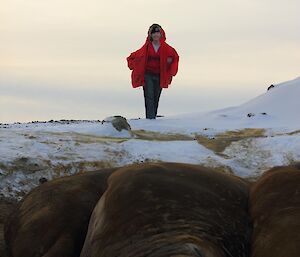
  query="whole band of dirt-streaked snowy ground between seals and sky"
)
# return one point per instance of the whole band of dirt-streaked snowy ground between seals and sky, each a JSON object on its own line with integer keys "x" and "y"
{"x": 37, "y": 150}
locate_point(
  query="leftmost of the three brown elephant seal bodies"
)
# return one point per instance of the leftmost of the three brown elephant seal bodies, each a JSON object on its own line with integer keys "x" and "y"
{"x": 52, "y": 219}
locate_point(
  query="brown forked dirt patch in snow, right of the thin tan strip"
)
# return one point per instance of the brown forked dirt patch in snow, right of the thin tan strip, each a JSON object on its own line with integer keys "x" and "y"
{"x": 219, "y": 142}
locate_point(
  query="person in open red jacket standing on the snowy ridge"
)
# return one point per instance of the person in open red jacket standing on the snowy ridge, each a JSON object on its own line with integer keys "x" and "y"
{"x": 153, "y": 67}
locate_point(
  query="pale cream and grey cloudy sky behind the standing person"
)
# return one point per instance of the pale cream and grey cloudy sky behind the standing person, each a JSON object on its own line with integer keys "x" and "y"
{"x": 67, "y": 59}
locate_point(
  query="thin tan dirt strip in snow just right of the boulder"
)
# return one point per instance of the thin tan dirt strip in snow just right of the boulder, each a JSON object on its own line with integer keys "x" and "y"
{"x": 151, "y": 135}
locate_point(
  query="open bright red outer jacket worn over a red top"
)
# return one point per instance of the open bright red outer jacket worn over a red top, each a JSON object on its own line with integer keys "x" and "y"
{"x": 137, "y": 63}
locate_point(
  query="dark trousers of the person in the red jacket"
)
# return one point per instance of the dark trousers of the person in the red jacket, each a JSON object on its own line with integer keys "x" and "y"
{"x": 152, "y": 91}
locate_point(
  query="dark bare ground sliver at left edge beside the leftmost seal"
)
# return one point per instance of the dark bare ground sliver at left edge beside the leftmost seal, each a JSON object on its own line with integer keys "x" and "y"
{"x": 6, "y": 206}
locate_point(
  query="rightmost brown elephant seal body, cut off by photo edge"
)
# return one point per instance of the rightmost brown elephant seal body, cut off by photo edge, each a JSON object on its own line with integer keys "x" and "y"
{"x": 275, "y": 210}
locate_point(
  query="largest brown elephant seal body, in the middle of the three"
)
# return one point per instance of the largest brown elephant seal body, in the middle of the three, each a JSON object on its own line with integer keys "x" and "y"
{"x": 170, "y": 209}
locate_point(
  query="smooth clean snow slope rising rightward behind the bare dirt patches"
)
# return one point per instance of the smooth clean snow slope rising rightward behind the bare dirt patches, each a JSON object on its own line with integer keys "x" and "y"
{"x": 277, "y": 108}
